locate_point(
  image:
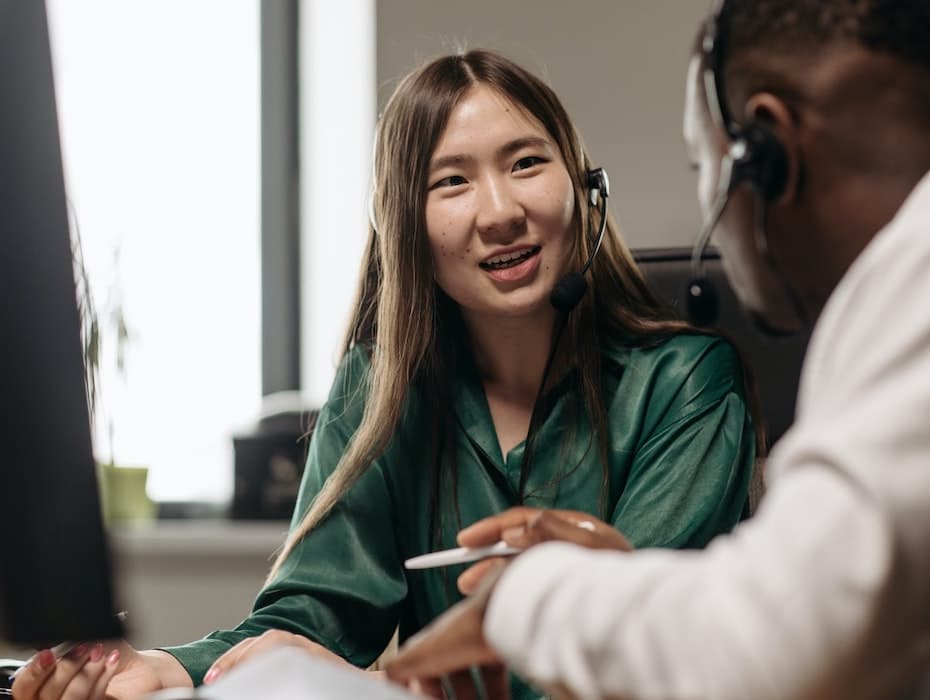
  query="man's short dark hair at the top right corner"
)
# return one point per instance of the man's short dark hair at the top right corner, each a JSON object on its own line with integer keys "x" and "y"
{"x": 900, "y": 28}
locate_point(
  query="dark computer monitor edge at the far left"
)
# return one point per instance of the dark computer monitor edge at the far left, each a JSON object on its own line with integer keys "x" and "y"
{"x": 54, "y": 567}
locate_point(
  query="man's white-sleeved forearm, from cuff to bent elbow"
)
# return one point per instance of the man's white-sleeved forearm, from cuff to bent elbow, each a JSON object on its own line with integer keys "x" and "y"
{"x": 752, "y": 616}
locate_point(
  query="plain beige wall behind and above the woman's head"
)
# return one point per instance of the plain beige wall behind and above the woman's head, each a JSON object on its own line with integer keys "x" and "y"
{"x": 618, "y": 66}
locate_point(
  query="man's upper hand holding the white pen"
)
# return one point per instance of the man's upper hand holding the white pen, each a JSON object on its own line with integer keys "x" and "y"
{"x": 525, "y": 527}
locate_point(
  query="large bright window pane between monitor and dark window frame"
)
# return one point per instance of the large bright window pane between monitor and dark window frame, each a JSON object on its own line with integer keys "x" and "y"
{"x": 159, "y": 107}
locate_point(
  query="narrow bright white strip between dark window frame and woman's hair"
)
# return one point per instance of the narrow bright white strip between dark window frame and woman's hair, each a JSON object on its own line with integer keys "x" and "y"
{"x": 337, "y": 124}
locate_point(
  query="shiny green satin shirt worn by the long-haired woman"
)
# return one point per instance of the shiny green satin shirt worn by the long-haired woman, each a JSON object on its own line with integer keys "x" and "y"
{"x": 681, "y": 449}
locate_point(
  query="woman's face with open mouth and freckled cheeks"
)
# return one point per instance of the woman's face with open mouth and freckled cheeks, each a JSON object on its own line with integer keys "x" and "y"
{"x": 498, "y": 208}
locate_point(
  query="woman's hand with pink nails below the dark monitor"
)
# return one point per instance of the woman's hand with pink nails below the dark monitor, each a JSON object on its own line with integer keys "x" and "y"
{"x": 95, "y": 671}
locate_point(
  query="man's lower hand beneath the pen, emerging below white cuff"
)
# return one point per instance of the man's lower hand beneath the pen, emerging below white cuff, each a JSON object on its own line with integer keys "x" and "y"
{"x": 439, "y": 657}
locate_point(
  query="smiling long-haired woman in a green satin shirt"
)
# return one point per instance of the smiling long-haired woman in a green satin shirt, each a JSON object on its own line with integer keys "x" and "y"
{"x": 481, "y": 205}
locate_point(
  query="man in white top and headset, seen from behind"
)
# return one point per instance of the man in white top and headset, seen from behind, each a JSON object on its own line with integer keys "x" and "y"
{"x": 825, "y": 593}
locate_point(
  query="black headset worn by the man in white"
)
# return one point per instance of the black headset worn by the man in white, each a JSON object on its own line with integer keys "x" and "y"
{"x": 756, "y": 159}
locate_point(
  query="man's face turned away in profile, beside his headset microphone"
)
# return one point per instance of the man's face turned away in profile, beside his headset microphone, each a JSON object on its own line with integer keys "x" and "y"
{"x": 759, "y": 289}
